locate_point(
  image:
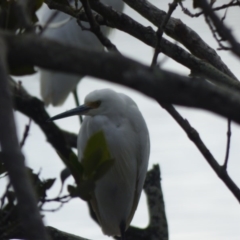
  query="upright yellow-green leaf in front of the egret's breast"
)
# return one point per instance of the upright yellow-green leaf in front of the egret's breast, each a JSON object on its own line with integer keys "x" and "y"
{"x": 96, "y": 153}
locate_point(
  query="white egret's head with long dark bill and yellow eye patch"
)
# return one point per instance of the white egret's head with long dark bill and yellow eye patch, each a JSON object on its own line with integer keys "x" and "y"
{"x": 98, "y": 102}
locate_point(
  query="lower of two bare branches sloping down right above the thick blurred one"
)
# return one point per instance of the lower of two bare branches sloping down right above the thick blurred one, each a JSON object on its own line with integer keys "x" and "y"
{"x": 148, "y": 36}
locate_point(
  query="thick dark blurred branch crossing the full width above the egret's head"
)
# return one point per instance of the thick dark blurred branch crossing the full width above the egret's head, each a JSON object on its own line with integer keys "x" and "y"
{"x": 158, "y": 84}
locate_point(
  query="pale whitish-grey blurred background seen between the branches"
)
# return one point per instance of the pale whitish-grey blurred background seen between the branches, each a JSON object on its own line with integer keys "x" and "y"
{"x": 198, "y": 204}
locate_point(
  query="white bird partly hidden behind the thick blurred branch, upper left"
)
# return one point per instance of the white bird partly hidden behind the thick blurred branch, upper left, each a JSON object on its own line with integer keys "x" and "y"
{"x": 55, "y": 86}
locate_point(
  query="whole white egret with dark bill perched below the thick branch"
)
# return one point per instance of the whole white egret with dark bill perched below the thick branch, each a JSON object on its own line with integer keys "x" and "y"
{"x": 117, "y": 193}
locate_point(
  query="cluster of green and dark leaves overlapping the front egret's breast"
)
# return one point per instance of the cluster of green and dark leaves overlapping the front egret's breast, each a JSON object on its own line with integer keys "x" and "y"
{"x": 95, "y": 163}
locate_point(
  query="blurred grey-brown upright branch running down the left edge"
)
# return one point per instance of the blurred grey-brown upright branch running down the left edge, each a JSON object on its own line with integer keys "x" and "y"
{"x": 14, "y": 160}
